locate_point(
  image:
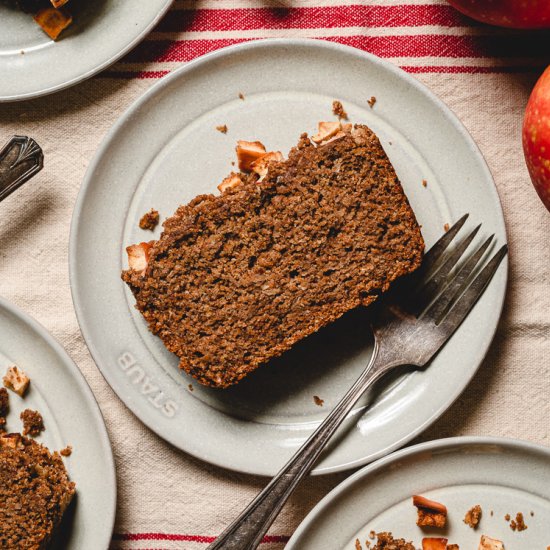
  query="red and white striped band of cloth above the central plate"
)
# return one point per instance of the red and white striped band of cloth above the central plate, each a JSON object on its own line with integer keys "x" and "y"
{"x": 421, "y": 36}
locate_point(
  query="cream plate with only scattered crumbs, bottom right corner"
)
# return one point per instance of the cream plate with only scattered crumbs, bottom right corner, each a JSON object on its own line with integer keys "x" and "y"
{"x": 503, "y": 476}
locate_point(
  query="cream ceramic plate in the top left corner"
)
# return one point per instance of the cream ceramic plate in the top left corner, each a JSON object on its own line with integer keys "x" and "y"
{"x": 32, "y": 65}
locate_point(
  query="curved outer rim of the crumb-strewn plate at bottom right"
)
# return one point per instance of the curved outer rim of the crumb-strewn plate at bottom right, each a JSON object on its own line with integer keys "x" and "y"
{"x": 446, "y": 443}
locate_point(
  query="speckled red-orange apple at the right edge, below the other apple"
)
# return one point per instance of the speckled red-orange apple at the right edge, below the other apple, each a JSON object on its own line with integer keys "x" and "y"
{"x": 536, "y": 137}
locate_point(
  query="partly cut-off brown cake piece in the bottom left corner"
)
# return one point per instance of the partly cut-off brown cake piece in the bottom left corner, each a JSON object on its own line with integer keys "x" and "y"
{"x": 34, "y": 493}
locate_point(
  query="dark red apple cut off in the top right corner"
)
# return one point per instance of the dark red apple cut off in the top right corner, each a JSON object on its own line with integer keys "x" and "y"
{"x": 516, "y": 14}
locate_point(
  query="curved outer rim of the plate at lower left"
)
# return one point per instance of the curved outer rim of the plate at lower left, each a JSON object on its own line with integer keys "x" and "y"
{"x": 83, "y": 386}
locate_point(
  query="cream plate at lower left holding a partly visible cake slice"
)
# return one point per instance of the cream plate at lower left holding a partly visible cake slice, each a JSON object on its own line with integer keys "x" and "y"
{"x": 71, "y": 417}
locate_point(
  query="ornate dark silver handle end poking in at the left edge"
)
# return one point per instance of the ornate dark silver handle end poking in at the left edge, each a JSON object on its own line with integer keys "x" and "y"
{"x": 20, "y": 159}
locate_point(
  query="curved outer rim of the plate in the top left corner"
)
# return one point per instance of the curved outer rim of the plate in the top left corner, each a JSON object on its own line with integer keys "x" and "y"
{"x": 99, "y": 68}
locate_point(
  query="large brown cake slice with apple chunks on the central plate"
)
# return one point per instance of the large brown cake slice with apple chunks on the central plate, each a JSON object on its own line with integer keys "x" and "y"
{"x": 237, "y": 279}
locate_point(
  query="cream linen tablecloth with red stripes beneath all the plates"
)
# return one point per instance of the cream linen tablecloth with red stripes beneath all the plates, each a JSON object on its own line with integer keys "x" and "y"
{"x": 167, "y": 499}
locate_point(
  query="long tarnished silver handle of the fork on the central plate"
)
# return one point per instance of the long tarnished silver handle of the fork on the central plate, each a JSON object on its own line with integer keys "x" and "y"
{"x": 248, "y": 530}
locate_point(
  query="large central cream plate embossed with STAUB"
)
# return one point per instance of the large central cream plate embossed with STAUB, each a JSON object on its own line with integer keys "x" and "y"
{"x": 165, "y": 150}
